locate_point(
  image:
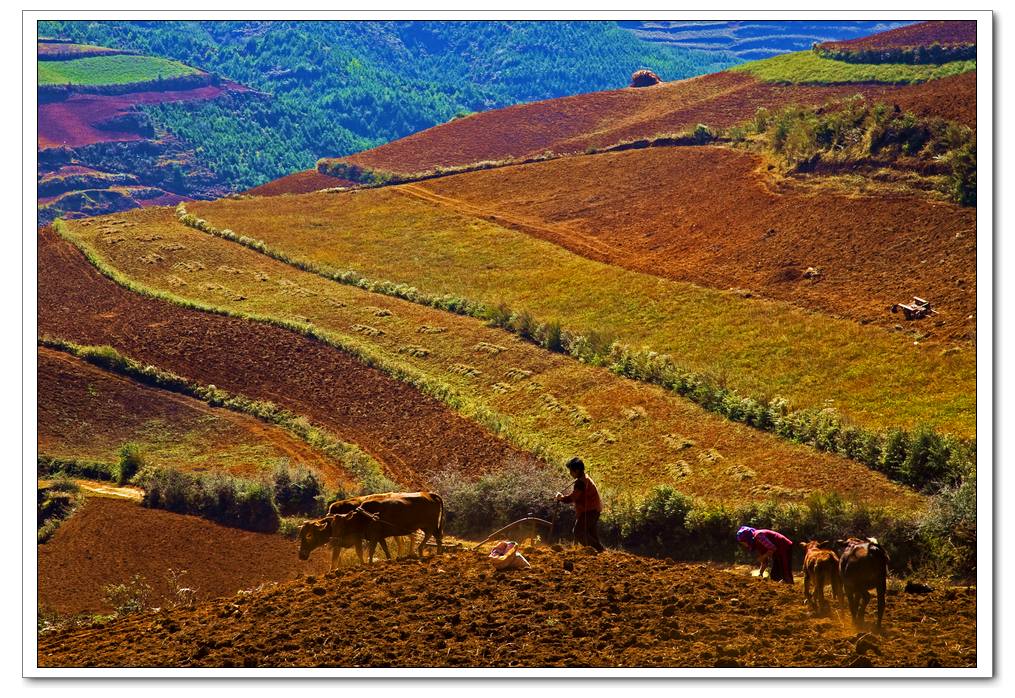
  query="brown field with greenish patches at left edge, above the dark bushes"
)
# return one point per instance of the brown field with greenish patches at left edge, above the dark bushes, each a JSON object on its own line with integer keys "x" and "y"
{"x": 89, "y": 413}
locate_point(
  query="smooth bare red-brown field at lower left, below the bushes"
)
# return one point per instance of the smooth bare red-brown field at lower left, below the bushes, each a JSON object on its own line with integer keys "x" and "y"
{"x": 108, "y": 541}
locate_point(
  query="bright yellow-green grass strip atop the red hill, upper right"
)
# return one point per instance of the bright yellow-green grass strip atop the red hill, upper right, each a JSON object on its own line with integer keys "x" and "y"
{"x": 805, "y": 67}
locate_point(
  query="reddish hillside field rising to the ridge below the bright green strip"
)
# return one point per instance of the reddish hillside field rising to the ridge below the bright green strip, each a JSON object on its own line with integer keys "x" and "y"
{"x": 504, "y": 134}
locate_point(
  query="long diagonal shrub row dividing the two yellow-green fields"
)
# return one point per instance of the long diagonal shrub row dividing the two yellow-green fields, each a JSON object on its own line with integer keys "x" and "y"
{"x": 924, "y": 458}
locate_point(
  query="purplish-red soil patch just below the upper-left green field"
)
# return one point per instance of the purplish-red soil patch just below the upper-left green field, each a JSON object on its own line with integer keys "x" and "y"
{"x": 73, "y": 122}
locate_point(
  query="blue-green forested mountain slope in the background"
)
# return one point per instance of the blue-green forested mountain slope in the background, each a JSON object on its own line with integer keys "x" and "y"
{"x": 341, "y": 88}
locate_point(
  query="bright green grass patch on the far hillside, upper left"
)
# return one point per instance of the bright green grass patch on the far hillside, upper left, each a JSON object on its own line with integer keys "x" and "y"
{"x": 110, "y": 71}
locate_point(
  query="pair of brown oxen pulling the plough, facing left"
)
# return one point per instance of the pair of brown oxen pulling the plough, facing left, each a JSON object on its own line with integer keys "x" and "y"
{"x": 374, "y": 519}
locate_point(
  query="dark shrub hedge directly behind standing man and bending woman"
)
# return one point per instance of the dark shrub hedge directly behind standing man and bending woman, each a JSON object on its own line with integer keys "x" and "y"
{"x": 940, "y": 541}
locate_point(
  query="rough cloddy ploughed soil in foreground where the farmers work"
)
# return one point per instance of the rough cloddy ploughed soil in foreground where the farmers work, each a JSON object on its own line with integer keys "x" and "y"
{"x": 570, "y": 609}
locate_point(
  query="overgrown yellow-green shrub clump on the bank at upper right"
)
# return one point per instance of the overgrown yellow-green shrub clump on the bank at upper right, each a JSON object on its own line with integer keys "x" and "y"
{"x": 856, "y": 130}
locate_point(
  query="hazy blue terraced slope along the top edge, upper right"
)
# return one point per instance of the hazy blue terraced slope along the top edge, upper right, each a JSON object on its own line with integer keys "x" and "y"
{"x": 750, "y": 40}
